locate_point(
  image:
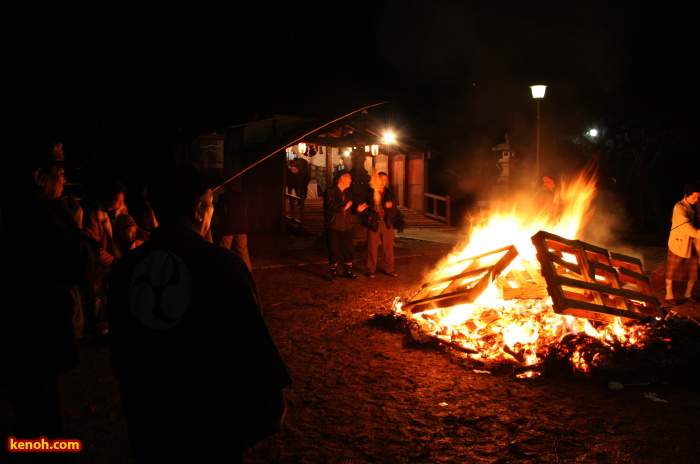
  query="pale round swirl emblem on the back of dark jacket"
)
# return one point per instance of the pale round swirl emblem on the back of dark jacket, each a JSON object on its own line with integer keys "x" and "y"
{"x": 161, "y": 289}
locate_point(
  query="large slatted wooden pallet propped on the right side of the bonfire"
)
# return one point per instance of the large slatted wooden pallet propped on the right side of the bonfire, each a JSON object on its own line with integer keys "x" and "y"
{"x": 587, "y": 281}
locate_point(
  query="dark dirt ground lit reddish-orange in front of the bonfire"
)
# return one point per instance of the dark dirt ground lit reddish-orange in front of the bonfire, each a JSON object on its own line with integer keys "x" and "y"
{"x": 363, "y": 394}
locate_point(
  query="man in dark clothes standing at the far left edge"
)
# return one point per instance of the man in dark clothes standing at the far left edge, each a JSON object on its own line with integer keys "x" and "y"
{"x": 43, "y": 255}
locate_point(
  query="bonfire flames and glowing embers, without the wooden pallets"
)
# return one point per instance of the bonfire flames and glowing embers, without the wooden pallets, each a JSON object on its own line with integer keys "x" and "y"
{"x": 491, "y": 328}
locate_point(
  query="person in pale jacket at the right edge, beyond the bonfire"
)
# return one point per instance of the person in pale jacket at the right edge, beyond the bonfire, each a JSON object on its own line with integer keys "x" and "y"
{"x": 682, "y": 262}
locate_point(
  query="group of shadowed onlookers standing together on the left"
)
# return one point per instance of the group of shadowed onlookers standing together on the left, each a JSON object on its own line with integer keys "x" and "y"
{"x": 199, "y": 375}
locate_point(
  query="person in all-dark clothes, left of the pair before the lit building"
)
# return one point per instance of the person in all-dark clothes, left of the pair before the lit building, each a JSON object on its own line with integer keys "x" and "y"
{"x": 337, "y": 203}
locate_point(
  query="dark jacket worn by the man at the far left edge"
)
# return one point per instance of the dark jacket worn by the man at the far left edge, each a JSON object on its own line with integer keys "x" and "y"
{"x": 40, "y": 258}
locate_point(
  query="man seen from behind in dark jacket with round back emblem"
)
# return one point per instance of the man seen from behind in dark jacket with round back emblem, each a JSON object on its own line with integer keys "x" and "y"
{"x": 199, "y": 374}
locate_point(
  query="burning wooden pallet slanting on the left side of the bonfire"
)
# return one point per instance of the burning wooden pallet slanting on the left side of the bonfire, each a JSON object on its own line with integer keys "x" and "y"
{"x": 465, "y": 281}
